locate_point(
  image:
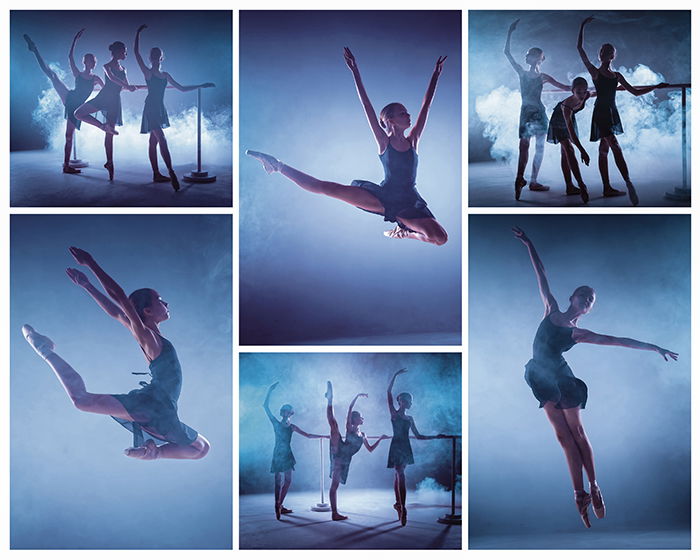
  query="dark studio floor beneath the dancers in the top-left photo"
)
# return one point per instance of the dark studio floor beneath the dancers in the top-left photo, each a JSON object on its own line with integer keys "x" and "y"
{"x": 36, "y": 180}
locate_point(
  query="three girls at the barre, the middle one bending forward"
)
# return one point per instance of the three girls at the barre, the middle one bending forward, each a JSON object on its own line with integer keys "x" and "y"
{"x": 562, "y": 129}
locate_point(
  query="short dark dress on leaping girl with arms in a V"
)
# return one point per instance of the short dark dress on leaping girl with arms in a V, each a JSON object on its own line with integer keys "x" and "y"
{"x": 397, "y": 192}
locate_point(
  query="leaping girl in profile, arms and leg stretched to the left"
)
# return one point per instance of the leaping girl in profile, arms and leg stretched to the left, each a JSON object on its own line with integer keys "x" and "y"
{"x": 153, "y": 407}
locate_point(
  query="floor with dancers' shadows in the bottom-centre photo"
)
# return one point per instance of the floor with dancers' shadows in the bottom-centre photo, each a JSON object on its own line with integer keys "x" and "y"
{"x": 372, "y": 523}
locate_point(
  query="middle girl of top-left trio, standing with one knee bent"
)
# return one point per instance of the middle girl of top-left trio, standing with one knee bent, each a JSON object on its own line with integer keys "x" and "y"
{"x": 109, "y": 102}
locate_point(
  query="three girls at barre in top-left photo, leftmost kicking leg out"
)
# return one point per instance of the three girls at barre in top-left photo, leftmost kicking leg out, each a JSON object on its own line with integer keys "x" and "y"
{"x": 78, "y": 108}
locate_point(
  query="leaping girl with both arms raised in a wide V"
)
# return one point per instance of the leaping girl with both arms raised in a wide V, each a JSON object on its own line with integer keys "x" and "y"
{"x": 396, "y": 198}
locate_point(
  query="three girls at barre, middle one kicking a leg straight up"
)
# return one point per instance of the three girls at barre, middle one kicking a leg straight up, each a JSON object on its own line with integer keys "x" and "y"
{"x": 343, "y": 449}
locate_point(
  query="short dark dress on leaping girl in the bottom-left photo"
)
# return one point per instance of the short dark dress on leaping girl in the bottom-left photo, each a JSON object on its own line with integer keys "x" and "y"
{"x": 154, "y": 406}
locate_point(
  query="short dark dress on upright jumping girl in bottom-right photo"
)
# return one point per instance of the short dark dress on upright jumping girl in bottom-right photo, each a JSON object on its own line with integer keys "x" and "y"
{"x": 548, "y": 374}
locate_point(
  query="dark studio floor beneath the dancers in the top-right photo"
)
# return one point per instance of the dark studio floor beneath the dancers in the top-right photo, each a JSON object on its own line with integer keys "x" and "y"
{"x": 491, "y": 184}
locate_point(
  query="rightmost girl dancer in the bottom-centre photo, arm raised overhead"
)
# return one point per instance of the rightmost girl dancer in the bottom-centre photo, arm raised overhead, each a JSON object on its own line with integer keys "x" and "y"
{"x": 400, "y": 452}
